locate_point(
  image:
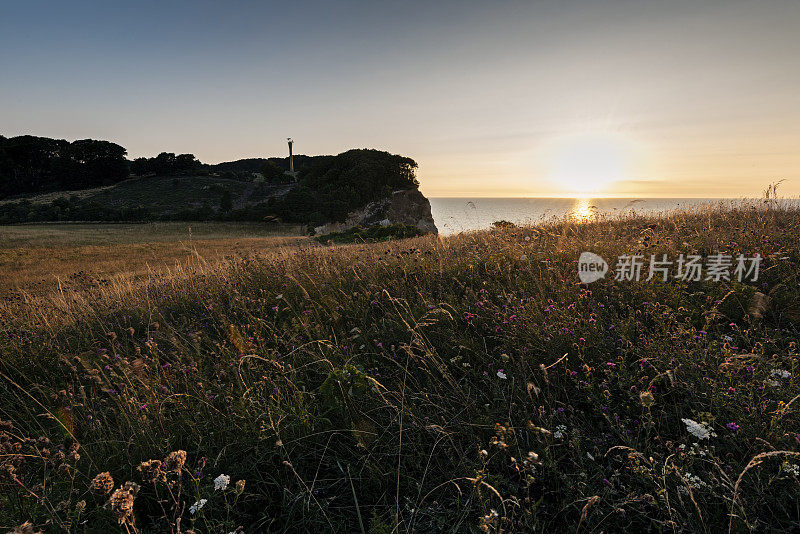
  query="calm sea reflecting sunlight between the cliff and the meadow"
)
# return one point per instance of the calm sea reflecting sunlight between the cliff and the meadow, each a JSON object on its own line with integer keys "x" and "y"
{"x": 454, "y": 215}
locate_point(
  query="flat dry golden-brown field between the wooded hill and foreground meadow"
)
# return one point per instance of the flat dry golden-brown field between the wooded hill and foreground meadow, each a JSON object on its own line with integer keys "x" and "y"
{"x": 35, "y": 259}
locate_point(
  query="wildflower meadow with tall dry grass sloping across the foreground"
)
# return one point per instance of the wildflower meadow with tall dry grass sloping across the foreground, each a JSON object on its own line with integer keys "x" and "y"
{"x": 437, "y": 384}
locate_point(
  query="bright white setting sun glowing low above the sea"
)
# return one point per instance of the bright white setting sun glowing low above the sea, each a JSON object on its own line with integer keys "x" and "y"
{"x": 589, "y": 162}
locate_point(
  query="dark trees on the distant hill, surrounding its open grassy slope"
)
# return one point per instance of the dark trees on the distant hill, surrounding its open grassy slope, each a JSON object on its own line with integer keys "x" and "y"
{"x": 327, "y": 188}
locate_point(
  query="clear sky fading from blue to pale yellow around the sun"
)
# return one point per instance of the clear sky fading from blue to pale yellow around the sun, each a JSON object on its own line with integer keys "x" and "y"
{"x": 493, "y": 99}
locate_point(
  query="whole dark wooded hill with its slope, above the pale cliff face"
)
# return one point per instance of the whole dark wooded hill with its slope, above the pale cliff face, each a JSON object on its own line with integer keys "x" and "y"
{"x": 172, "y": 187}
